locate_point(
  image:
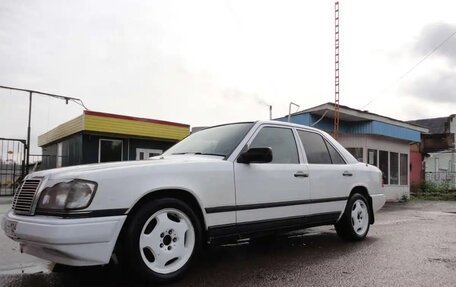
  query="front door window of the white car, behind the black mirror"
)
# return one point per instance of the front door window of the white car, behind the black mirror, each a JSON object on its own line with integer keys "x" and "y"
{"x": 281, "y": 141}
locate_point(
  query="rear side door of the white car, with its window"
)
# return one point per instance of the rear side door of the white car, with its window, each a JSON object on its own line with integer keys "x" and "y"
{"x": 331, "y": 178}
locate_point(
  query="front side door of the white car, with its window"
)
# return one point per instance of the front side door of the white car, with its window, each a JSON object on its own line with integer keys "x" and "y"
{"x": 267, "y": 191}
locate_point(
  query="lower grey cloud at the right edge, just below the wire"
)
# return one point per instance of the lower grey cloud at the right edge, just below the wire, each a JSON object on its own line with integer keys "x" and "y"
{"x": 439, "y": 86}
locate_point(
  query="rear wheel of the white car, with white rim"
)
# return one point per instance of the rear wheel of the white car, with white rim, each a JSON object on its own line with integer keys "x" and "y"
{"x": 355, "y": 222}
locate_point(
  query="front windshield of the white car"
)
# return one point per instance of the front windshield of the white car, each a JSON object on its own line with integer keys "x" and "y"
{"x": 219, "y": 140}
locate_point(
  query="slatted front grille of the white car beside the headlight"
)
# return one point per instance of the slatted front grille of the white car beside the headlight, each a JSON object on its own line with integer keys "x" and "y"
{"x": 24, "y": 197}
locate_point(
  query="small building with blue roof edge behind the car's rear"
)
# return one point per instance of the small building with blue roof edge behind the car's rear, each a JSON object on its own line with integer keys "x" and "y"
{"x": 371, "y": 138}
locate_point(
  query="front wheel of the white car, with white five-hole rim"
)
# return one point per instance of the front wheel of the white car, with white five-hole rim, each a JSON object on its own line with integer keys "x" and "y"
{"x": 161, "y": 240}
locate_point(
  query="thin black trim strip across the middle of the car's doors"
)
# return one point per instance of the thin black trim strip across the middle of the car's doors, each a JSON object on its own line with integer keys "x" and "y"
{"x": 272, "y": 204}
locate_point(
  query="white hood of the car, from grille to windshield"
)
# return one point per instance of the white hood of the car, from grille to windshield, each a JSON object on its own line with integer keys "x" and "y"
{"x": 69, "y": 172}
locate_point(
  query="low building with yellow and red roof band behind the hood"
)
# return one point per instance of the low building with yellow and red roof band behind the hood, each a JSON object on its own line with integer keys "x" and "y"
{"x": 97, "y": 137}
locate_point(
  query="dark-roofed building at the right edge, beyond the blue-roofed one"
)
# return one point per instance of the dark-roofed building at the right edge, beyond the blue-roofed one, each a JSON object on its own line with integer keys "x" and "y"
{"x": 438, "y": 148}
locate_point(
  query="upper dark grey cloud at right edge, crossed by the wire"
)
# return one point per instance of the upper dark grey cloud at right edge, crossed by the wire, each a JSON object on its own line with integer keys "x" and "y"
{"x": 433, "y": 34}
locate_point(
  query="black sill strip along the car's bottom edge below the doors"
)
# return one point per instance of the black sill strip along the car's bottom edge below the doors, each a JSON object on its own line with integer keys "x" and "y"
{"x": 269, "y": 225}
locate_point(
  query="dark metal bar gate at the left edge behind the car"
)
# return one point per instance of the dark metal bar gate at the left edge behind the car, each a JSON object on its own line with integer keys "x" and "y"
{"x": 12, "y": 164}
